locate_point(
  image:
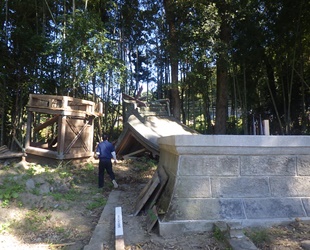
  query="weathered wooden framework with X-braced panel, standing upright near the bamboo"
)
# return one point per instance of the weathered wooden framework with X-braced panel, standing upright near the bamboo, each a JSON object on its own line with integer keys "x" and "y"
{"x": 60, "y": 127}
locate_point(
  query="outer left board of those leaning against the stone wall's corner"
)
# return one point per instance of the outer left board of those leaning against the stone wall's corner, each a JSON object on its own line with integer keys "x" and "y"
{"x": 146, "y": 193}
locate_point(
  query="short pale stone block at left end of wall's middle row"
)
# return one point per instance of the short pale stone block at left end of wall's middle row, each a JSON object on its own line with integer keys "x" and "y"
{"x": 192, "y": 187}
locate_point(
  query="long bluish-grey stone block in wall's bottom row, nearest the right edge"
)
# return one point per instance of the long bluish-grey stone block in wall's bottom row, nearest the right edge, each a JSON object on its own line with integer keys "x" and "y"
{"x": 273, "y": 208}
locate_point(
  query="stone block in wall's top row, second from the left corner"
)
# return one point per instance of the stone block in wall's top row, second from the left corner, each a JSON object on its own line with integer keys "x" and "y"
{"x": 268, "y": 165}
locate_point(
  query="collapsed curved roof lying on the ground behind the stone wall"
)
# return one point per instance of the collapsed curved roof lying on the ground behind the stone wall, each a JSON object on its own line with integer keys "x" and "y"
{"x": 145, "y": 123}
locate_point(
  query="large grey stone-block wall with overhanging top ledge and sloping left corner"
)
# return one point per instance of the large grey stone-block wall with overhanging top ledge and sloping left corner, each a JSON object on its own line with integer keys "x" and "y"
{"x": 252, "y": 180}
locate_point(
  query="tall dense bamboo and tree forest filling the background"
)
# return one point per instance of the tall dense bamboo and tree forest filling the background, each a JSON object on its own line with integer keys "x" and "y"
{"x": 225, "y": 66}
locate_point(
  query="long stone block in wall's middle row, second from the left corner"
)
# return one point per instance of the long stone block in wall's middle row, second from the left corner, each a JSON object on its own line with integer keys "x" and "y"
{"x": 234, "y": 187}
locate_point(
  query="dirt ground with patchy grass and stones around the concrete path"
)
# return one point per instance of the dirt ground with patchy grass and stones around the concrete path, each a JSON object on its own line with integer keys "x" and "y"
{"x": 58, "y": 207}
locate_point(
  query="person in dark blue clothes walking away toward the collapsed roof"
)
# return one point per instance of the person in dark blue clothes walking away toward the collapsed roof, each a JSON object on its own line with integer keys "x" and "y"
{"x": 105, "y": 151}
